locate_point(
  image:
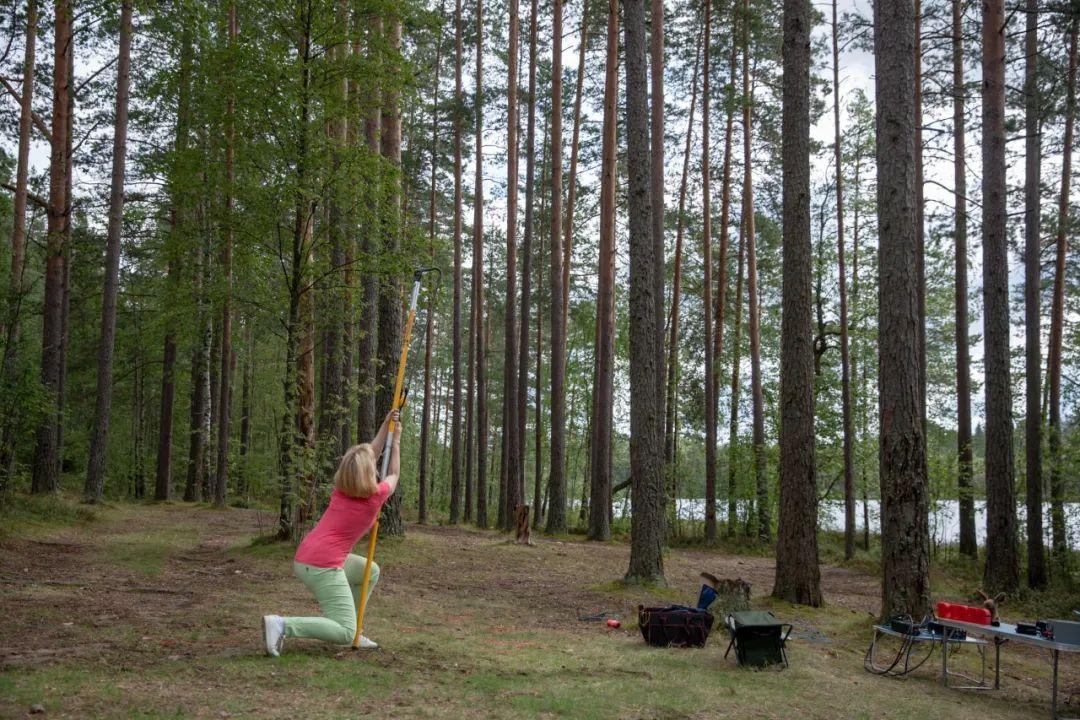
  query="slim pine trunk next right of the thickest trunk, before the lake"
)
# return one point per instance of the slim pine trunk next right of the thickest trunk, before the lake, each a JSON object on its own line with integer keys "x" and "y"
{"x": 965, "y": 478}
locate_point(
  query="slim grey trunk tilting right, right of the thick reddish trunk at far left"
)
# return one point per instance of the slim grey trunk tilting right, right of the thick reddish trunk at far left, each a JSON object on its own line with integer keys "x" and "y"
{"x": 103, "y": 411}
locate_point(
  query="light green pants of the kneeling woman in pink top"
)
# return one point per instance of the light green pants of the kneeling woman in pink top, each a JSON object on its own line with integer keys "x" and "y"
{"x": 337, "y": 591}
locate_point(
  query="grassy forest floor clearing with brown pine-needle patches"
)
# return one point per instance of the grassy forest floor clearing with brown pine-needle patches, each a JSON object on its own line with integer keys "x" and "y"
{"x": 154, "y": 612}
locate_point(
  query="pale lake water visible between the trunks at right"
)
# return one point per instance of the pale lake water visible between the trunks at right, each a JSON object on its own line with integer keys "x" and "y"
{"x": 944, "y": 518}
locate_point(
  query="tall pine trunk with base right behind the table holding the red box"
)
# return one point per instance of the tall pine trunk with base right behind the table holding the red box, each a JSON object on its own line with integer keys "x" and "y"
{"x": 1003, "y": 561}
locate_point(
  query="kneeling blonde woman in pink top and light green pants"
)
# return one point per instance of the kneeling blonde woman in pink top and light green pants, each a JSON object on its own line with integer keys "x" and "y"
{"x": 325, "y": 562}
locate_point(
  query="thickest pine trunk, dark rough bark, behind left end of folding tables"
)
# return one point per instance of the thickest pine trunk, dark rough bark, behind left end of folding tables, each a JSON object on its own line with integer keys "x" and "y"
{"x": 906, "y": 500}
